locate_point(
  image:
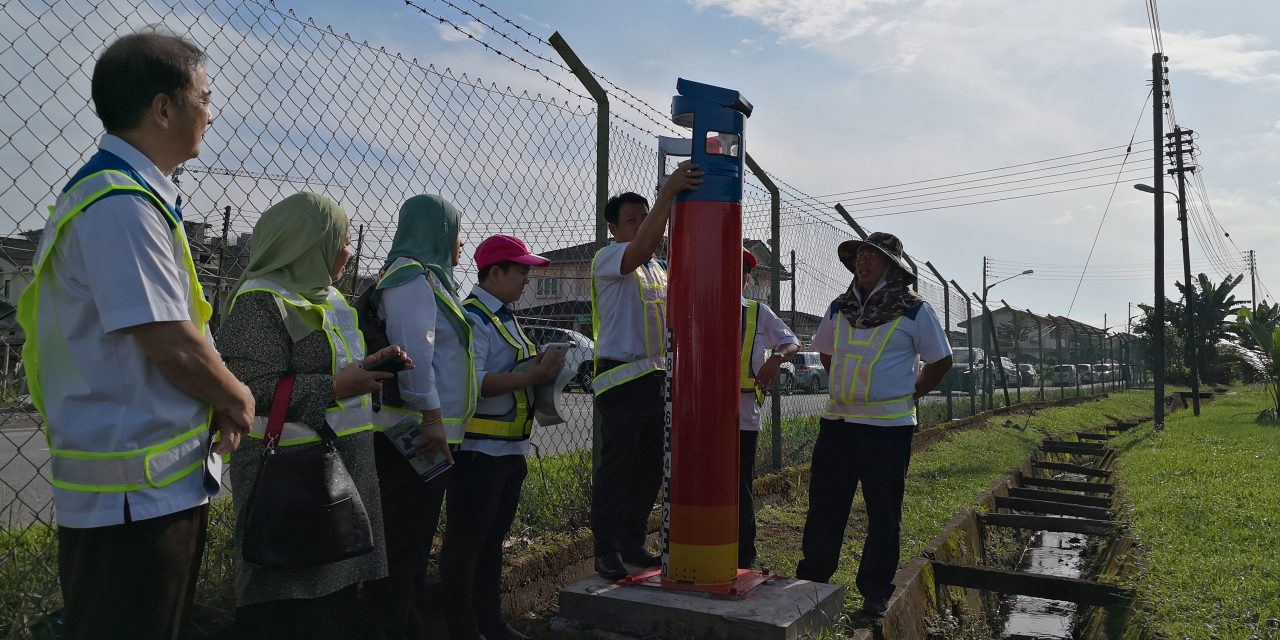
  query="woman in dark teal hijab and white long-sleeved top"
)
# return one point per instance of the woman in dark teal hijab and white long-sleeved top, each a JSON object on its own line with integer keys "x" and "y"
{"x": 418, "y": 300}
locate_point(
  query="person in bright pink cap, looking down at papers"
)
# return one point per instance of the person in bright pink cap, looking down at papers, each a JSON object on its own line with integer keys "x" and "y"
{"x": 490, "y": 469}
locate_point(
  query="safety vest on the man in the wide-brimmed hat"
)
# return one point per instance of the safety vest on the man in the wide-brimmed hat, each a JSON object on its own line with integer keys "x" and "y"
{"x": 857, "y": 351}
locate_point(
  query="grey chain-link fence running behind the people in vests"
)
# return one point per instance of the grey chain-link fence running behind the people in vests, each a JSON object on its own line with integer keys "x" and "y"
{"x": 300, "y": 107}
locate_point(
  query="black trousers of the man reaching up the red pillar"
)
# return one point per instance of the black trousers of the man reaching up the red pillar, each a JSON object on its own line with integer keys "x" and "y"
{"x": 630, "y": 469}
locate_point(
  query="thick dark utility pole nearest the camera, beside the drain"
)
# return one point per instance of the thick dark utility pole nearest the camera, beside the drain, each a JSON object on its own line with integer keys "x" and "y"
{"x": 1160, "y": 94}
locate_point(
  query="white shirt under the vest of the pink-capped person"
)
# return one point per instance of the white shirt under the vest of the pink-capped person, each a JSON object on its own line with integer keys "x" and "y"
{"x": 493, "y": 355}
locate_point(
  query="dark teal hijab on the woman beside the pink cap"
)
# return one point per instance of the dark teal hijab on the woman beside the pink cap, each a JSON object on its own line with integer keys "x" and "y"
{"x": 428, "y": 232}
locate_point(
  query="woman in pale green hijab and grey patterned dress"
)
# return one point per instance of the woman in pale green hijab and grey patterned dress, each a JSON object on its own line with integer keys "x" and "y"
{"x": 285, "y": 318}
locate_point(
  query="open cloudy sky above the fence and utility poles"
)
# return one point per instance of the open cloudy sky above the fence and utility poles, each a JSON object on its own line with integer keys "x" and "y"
{"x": 861, "y": 94}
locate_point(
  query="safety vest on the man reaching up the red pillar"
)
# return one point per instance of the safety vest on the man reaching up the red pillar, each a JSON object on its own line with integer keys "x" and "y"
{"x": 652, "y": 287}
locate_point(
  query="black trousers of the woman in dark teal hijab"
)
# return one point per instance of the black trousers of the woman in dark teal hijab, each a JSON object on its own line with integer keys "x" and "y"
{"x": 395, "y": 607}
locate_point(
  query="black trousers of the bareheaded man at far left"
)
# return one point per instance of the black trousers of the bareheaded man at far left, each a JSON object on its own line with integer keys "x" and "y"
{"x": 135, "y": 580}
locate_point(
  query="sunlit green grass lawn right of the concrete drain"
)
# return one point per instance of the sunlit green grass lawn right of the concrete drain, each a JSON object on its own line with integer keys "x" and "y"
{"x": 1204, "y": 499}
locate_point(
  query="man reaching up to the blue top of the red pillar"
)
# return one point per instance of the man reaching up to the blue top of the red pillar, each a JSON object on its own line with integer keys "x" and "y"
{"x": 629, "y": 308}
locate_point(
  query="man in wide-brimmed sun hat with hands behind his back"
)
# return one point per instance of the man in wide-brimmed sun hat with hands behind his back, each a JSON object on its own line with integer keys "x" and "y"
{"x": 871, "y": 341}
